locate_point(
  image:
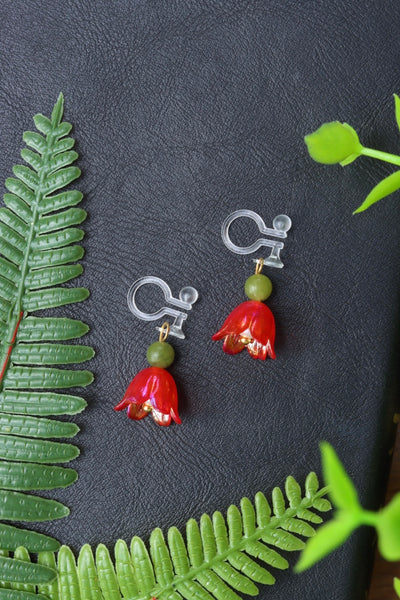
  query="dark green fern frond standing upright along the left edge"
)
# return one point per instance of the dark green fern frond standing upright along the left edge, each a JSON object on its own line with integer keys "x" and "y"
{"x": 38, "y": 253}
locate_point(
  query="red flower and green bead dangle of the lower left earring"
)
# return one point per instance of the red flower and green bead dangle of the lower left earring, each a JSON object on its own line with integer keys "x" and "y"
{"x": 153, "y": 390}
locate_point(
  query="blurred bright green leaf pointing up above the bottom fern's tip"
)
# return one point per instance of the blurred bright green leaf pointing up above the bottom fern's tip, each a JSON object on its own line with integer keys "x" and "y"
{"x": 341, "y": 489}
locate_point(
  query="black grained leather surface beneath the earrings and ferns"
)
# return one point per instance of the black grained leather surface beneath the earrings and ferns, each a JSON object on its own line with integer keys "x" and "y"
{"x": 184, "y": 112}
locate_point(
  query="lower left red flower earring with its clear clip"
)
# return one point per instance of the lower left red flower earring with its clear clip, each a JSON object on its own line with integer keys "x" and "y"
{"x": 153, "y": 390}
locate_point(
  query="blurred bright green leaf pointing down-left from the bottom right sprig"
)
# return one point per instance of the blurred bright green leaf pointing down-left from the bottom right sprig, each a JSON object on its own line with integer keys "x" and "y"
{"x": 328, "y": 538}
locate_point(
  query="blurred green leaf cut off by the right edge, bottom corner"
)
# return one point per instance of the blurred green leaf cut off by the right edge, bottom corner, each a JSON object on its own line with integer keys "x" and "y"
{"x": 388, "y": 527}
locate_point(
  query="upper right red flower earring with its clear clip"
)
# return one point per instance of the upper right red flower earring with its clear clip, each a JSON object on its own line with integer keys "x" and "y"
{"x": 251, "y": 325}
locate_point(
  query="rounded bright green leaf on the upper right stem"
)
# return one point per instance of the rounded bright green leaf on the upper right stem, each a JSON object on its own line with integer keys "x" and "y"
{"x": 334, "y": 143}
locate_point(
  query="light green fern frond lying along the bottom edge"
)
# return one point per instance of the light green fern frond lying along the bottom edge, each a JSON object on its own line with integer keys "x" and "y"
{"x": 220, "y": 558}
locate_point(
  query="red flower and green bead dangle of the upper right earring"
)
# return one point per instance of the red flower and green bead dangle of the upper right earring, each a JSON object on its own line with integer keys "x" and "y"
{"x": 251, "y": 325}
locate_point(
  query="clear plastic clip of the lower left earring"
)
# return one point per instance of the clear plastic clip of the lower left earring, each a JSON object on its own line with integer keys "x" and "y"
{"x": 187, "y": 297}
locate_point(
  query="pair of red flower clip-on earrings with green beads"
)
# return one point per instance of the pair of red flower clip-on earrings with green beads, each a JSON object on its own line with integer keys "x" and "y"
{"x": 250, "y": 325}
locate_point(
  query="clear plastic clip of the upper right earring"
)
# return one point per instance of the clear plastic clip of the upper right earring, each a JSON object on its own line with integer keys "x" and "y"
{"x": 280, "y": 226}
